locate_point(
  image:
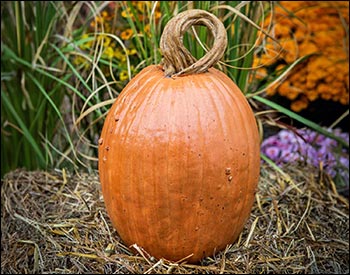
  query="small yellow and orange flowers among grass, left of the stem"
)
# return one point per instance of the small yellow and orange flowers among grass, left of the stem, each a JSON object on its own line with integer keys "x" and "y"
{"x": 113, "y": 21}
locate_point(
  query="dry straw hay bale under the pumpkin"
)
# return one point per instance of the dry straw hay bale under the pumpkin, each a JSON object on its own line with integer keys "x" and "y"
{"x": 54, "y": 222}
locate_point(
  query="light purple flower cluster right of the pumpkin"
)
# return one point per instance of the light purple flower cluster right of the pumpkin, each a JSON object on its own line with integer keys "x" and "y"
{"x": 309, "y": 147}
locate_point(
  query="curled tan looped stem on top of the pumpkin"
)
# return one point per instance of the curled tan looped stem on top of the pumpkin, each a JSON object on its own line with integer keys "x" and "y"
{"x": 177, "y": 60}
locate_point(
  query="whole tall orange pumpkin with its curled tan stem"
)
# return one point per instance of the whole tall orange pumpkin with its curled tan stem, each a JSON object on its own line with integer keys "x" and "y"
{"x": 179, "y": 152}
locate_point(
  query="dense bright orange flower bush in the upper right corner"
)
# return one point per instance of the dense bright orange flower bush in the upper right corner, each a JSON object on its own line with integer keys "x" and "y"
{"x": 302, "y": 28}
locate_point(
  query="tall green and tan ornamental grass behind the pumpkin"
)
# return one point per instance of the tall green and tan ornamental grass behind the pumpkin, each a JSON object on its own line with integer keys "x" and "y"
{"x": 64, "y": 63}
